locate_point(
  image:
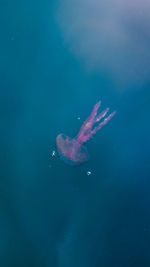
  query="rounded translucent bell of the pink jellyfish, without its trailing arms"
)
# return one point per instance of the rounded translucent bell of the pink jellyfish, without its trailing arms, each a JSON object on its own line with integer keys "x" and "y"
{"x": 70, "y": 150}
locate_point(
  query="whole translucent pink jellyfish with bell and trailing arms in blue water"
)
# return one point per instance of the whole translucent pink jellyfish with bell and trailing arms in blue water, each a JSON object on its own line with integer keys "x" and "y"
{"x": 73, "y": 151}
